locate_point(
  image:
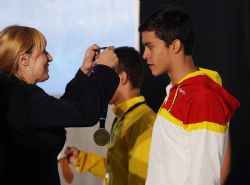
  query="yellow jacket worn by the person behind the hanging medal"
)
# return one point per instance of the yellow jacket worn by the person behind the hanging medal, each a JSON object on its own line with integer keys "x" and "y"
{"x": 128, "y": 149}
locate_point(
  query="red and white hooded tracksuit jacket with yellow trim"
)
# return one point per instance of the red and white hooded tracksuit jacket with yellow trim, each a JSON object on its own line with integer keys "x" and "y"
{"x": 191, "y": 131}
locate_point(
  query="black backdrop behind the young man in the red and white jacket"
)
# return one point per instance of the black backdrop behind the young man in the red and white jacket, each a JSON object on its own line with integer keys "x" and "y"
{"x": 223, "y": 45}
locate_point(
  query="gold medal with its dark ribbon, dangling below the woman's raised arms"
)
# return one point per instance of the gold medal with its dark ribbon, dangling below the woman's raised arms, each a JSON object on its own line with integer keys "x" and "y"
{"x": 102, "y": 136}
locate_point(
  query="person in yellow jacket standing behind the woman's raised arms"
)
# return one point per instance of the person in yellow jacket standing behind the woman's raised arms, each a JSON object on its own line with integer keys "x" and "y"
{"x": 128, "y": 150}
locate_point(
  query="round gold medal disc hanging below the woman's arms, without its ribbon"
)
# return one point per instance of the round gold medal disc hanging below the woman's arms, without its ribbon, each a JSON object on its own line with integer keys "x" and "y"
{"x": 101, "y": 137}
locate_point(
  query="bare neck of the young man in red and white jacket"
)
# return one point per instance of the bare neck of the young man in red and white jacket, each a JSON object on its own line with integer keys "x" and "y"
{"x": 181, "y": 68}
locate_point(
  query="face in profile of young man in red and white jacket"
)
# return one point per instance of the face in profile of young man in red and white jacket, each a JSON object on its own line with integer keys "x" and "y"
{"x": 156, "y": 53}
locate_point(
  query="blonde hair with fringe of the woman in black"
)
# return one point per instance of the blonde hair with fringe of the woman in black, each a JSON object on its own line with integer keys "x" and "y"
{"x": 15, "y": 40}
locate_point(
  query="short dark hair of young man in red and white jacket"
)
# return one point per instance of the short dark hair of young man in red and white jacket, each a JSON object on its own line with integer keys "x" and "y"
{"x": 170, "y": 23}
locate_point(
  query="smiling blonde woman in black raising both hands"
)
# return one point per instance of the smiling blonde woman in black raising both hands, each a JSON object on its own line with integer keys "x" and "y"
{"x": 34, "y": 122}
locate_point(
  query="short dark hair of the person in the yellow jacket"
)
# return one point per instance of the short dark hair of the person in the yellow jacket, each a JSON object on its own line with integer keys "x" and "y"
{"x": 130, "y": 61}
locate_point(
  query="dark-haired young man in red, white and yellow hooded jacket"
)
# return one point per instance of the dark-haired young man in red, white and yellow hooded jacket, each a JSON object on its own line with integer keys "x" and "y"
{"x": 191, "y": 129}
